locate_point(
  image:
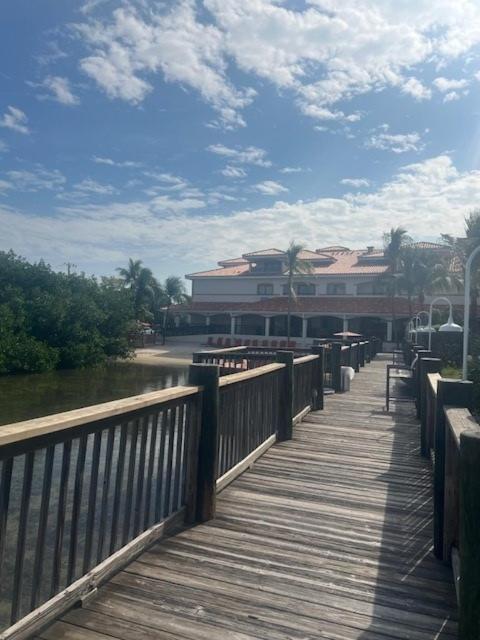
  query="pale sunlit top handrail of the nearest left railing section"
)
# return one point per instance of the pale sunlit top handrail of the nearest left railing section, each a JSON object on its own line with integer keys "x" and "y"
{"x": 20, "y": 431}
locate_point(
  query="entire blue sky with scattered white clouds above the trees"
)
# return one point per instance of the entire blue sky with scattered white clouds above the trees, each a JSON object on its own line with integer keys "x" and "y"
{"x": 187, "y": 131}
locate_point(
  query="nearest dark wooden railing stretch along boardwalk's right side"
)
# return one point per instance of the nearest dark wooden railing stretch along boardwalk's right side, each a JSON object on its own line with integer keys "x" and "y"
{"x": 450, "y": 437}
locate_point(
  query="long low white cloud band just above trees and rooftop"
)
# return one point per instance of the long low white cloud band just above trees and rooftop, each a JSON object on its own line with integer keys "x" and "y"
{"x": 426, "y": 198}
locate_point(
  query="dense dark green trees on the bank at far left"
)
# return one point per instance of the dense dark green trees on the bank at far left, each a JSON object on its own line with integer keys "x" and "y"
{"x": 53, "y": 320}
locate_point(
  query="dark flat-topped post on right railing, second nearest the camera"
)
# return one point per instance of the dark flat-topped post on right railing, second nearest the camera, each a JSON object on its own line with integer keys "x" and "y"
{"x": 455, "y": 393}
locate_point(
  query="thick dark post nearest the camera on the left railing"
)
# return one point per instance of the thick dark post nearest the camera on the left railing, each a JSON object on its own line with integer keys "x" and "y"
{"x": 207, "y": 376}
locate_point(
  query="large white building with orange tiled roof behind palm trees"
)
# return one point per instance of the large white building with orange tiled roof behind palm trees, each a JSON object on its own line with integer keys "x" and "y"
{"x": 343, "y": 290}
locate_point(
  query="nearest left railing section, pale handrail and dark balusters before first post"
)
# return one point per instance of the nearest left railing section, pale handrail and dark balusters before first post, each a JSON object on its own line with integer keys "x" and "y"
{"x": 77, "y": 487}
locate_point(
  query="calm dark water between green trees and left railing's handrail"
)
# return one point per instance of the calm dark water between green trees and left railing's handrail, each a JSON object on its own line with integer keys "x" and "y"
{"x": 30, "y": 396}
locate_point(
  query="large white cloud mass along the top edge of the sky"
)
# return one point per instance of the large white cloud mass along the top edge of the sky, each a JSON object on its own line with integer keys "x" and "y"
{"x": 320, "y": 54}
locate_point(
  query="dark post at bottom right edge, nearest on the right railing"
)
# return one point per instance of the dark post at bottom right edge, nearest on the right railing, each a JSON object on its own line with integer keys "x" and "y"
{"x": 469, "y": 618}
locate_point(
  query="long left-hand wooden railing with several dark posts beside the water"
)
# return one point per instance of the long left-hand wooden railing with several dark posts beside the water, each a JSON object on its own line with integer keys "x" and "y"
{"x": 84, "y": 492}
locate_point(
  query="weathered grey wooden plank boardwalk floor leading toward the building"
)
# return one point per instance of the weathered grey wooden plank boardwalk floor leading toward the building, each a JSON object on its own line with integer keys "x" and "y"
{"x": 328, "y": 536}
